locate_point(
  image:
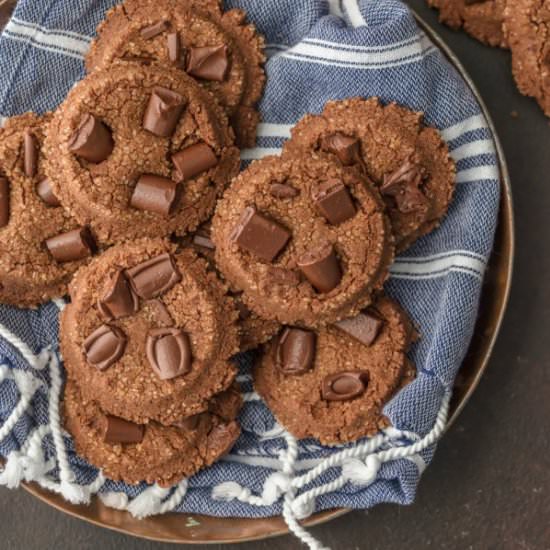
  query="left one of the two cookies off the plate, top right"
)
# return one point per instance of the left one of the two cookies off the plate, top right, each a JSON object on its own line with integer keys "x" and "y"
{"x": 480, "y": 18}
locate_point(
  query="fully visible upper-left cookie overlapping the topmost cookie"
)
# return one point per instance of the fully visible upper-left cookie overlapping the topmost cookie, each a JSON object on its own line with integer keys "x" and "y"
{"x": 138, "y": 151}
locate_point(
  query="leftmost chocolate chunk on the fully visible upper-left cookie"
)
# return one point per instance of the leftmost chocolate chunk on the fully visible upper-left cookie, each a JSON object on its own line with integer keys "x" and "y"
{"x": 92, "y": 140}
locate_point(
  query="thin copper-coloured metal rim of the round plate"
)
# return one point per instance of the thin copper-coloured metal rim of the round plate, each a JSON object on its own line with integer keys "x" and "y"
{"x": 506, "y": 230}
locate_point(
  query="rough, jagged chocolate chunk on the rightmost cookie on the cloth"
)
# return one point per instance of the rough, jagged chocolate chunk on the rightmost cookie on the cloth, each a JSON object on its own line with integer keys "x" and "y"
{"x": 404, "y": 186}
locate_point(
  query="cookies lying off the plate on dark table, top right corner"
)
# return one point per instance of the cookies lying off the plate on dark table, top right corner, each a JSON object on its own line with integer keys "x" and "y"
{"x": 520, "y": 25}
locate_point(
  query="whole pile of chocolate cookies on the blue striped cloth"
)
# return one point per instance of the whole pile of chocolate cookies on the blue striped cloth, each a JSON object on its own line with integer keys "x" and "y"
{"x": 130, "y": 197}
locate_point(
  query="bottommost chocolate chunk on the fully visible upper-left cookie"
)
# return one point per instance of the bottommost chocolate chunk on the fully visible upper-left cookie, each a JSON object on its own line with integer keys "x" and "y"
{"x": 155, "y": 194}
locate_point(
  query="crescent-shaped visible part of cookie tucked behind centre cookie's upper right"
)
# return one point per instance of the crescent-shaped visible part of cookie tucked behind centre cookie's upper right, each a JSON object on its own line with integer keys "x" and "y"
{"x": 409, "y": 162}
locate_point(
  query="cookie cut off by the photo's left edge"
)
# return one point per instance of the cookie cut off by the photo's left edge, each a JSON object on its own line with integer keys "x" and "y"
{"x": 41, "y": 246}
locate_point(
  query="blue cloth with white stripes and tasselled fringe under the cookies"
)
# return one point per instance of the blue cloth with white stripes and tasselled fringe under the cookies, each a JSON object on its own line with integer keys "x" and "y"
{"x": 317, "y": 50}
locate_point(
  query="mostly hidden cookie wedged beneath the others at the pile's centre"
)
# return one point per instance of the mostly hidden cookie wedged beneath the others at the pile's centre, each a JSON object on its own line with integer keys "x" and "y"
{"x": 253, "y": 329}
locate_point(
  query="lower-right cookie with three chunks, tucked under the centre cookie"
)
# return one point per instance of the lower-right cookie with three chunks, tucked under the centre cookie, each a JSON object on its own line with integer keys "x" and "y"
{"x": 332, "y": 384}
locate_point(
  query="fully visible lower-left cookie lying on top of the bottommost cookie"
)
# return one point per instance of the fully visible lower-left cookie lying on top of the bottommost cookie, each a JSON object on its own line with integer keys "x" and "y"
{"x": 149, "y": 332}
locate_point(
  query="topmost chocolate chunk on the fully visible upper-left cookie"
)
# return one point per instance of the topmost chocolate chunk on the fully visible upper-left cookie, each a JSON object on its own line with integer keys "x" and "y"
{"x": 163, "y": 112}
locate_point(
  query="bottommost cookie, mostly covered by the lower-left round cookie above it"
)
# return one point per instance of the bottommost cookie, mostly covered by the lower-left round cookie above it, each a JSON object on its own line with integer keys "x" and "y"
{"x": 153, "y": 453}
